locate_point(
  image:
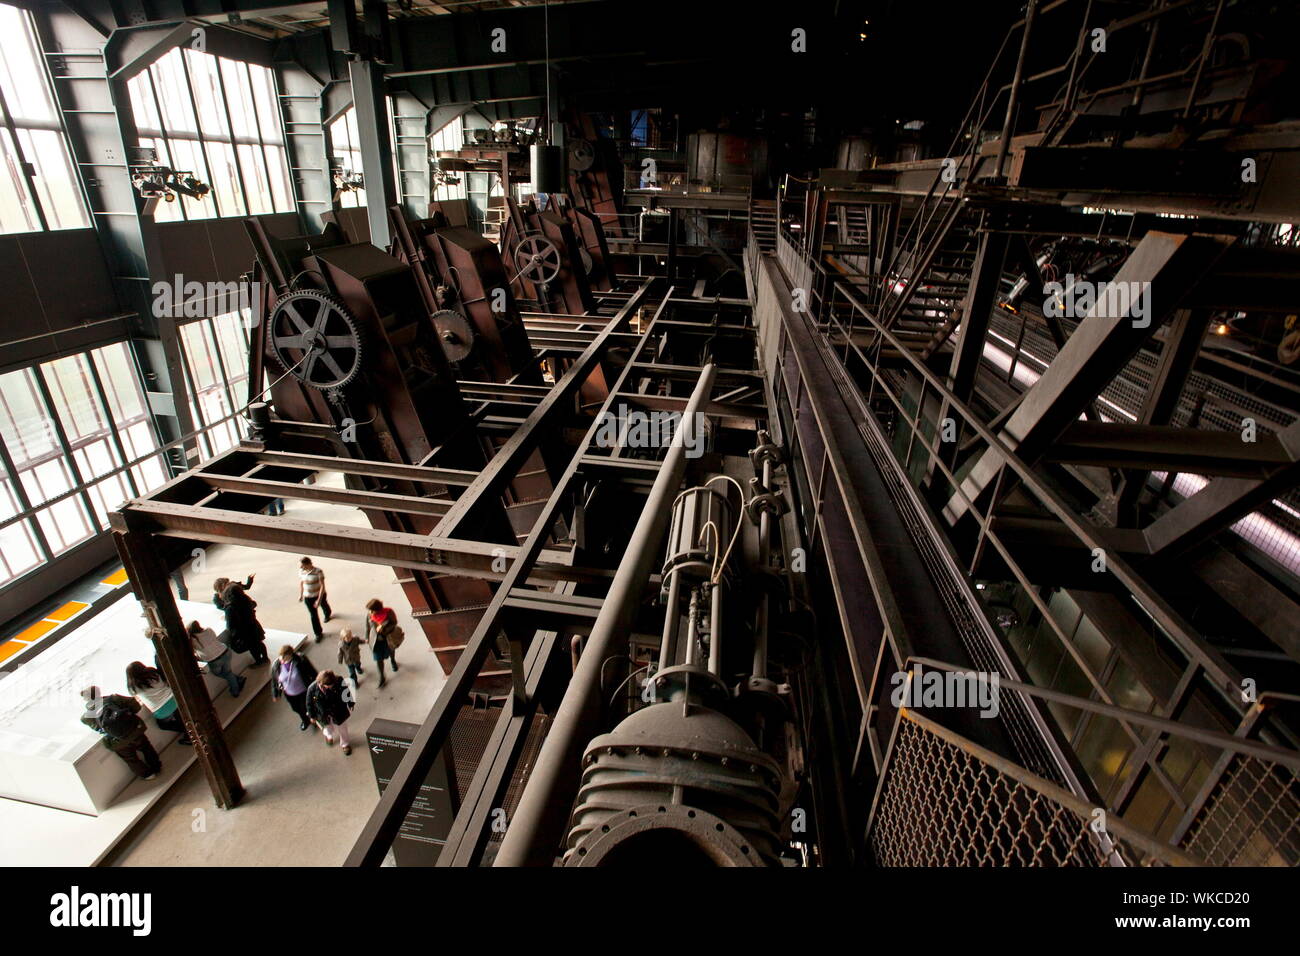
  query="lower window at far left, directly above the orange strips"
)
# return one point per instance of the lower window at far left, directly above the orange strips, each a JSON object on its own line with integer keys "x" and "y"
{"x": 70, "y": 429}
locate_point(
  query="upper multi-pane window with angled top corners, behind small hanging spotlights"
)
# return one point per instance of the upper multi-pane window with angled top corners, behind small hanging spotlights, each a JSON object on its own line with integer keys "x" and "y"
{"x": 218, "y": 119}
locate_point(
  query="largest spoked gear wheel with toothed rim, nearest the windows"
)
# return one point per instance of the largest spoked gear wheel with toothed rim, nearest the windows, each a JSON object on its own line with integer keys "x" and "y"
{"x": 317, "y": 339}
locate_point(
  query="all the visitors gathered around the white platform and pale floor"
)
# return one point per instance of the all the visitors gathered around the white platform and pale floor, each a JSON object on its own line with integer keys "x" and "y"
{"x": 320, "y": 699}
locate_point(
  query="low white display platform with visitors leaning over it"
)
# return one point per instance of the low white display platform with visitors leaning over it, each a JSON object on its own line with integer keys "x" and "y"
{"x": 49, "y": 756}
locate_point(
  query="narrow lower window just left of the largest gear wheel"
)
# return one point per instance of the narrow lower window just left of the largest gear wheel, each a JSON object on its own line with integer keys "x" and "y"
{"x": 216, "y": 366}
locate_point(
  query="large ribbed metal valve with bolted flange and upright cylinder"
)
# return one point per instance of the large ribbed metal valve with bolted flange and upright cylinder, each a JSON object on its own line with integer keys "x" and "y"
{"x": 683, "y": 780}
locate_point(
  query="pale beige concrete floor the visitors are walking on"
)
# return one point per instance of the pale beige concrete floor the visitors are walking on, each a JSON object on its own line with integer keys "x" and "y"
{"x": 306, "y": 802}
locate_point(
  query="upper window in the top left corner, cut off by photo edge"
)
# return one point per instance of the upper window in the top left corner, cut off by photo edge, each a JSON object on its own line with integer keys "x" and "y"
{"x": 38, "y": 185}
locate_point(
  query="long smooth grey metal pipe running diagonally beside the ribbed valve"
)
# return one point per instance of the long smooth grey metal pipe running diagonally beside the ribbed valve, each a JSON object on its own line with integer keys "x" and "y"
{"x": 534, "y": 837}
